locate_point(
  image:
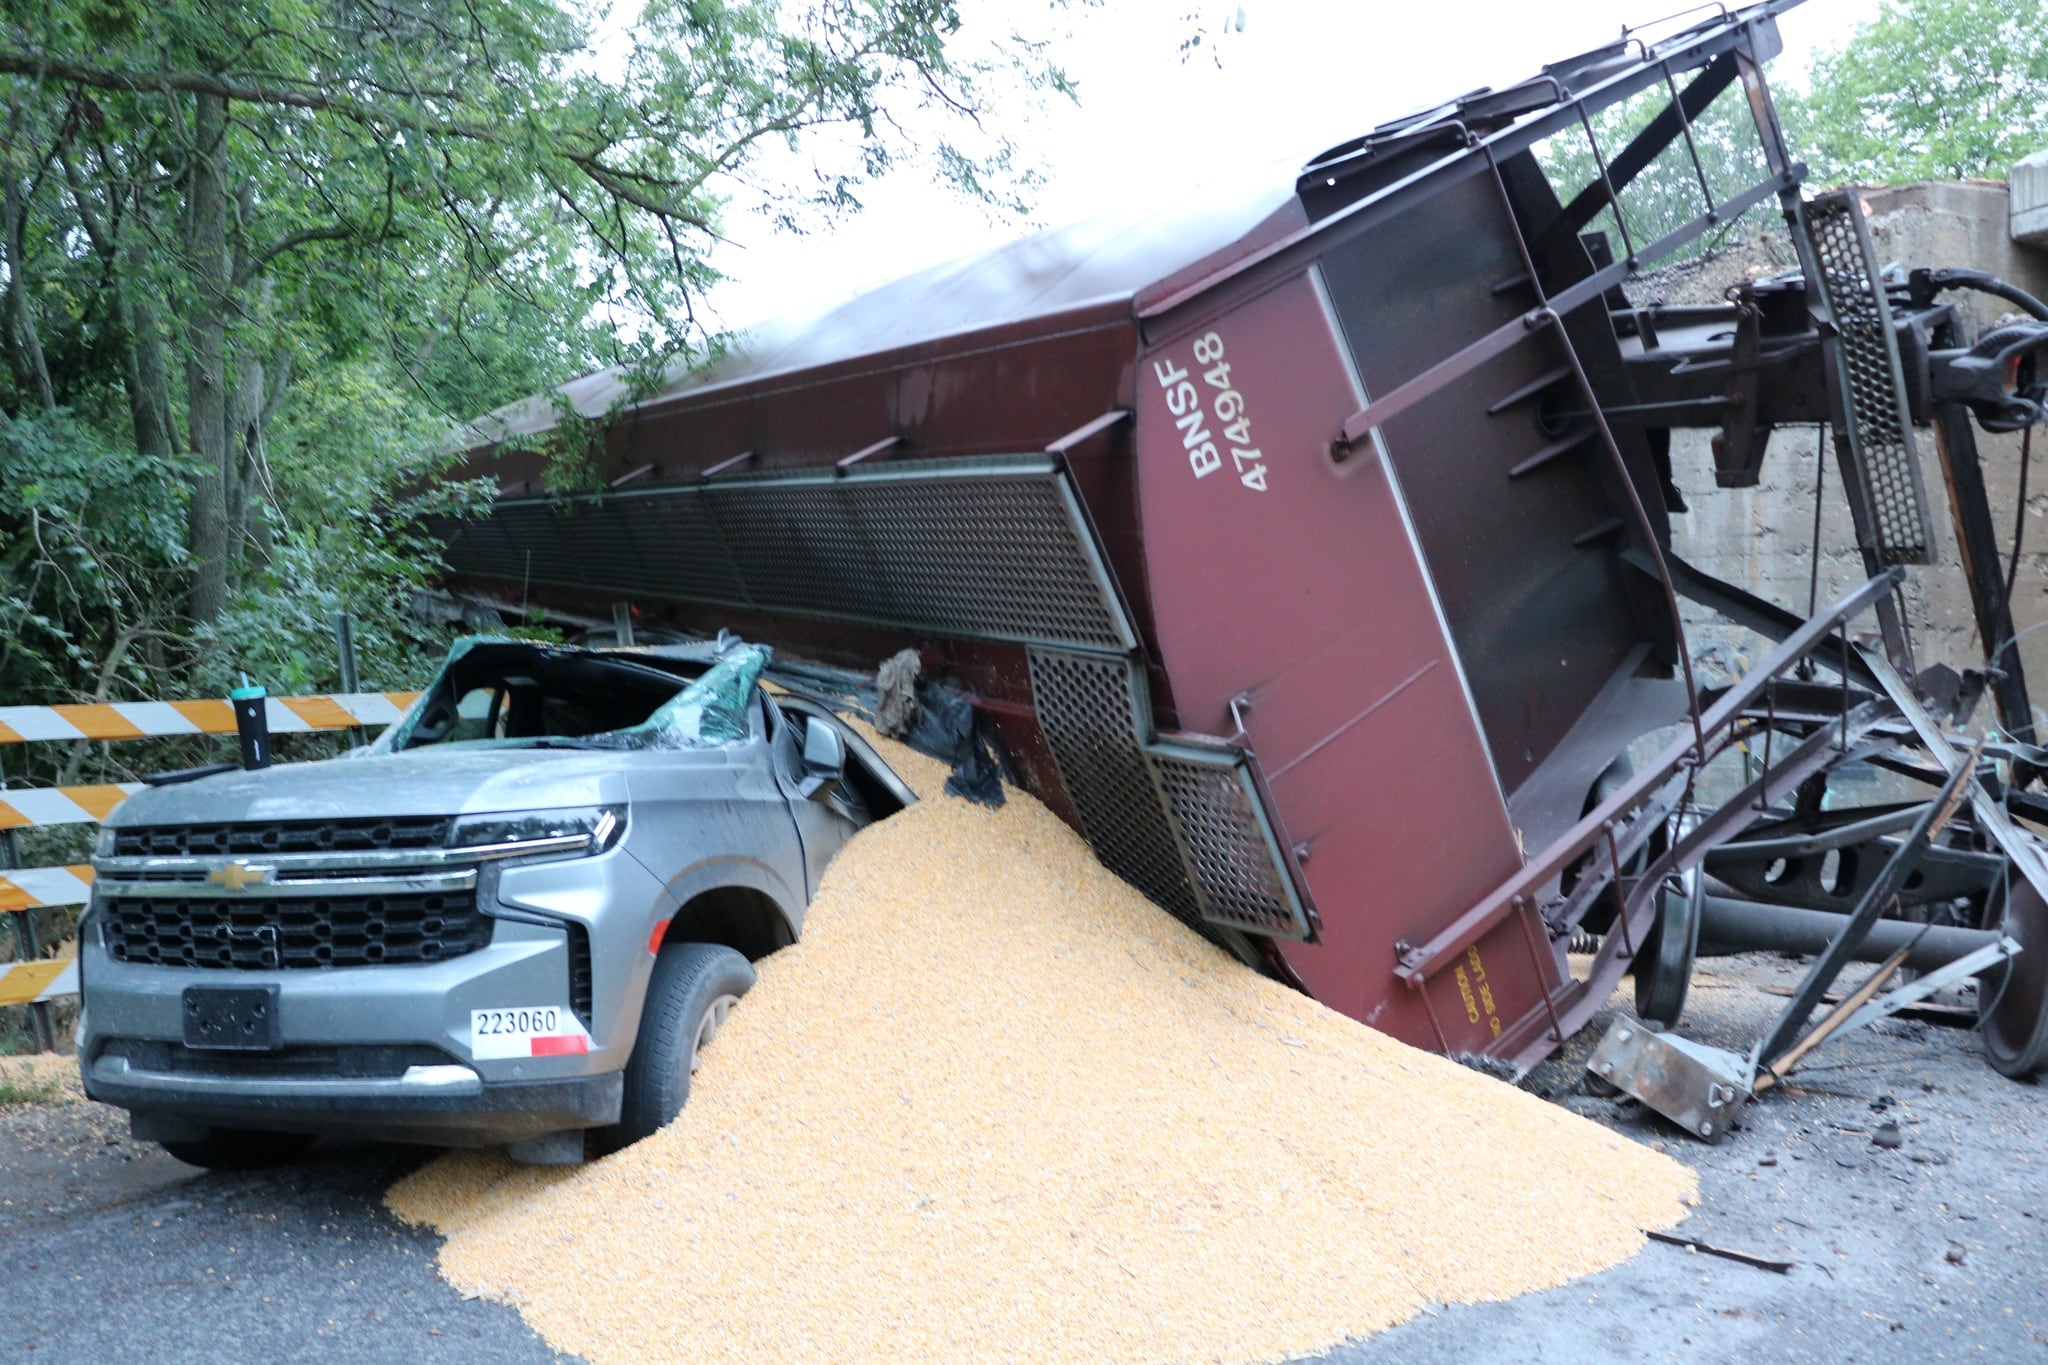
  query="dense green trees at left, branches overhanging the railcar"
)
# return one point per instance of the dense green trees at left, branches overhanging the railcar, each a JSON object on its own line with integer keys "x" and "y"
{"x": 259, "y": 259}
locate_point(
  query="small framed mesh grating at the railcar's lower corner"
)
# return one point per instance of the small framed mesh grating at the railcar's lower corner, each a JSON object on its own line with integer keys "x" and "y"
{"x": 1240, "y": 871}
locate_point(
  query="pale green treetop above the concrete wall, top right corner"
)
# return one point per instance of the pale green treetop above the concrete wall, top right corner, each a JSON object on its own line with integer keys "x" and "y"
{"x": 1928, "y": 91}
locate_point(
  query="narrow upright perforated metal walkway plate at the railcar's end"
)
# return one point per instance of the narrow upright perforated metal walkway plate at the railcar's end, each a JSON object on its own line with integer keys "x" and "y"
{"x": 1879, "y": 425}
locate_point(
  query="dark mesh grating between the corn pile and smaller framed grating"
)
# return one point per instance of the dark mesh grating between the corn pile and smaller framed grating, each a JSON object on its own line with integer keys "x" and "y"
{"x": 1091, "y": 715}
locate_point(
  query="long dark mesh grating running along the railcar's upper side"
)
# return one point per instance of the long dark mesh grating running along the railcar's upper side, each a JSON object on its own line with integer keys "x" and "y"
{"x": 966, "y": 549}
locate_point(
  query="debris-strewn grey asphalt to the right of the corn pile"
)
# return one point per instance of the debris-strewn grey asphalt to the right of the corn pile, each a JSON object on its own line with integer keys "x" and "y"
{"x": 1930, "y": 1251}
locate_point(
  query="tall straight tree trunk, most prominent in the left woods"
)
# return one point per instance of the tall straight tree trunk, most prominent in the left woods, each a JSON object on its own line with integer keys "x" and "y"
{"x": 210, "y": 521}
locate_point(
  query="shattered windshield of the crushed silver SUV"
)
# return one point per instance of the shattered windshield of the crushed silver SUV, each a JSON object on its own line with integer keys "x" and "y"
{"x": 538, "y": 697}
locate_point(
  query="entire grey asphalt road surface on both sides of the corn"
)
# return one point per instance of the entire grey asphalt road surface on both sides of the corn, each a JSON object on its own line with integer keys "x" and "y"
{"x": 1936, "y": 1249}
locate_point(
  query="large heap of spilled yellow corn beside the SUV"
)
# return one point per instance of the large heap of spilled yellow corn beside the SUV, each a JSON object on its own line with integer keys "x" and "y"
{"x": 998, "y": 1106}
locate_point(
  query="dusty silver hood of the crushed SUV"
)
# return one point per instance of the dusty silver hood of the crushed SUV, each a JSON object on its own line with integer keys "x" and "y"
{"x": 413, "y": 783}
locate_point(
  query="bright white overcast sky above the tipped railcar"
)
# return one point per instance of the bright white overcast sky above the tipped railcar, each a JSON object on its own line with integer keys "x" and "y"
{"x": 1299, "y": 77}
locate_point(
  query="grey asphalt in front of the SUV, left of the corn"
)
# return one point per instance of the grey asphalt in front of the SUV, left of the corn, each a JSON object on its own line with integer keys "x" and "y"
{"x": 114, "y": 1251}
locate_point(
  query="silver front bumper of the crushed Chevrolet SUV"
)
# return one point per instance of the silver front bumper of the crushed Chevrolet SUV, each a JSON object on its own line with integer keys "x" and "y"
{"x": 386, "y": 1051}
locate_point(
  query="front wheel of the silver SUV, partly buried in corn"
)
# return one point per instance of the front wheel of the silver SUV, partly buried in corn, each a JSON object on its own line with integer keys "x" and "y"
{"x": 691, "y": 992}
